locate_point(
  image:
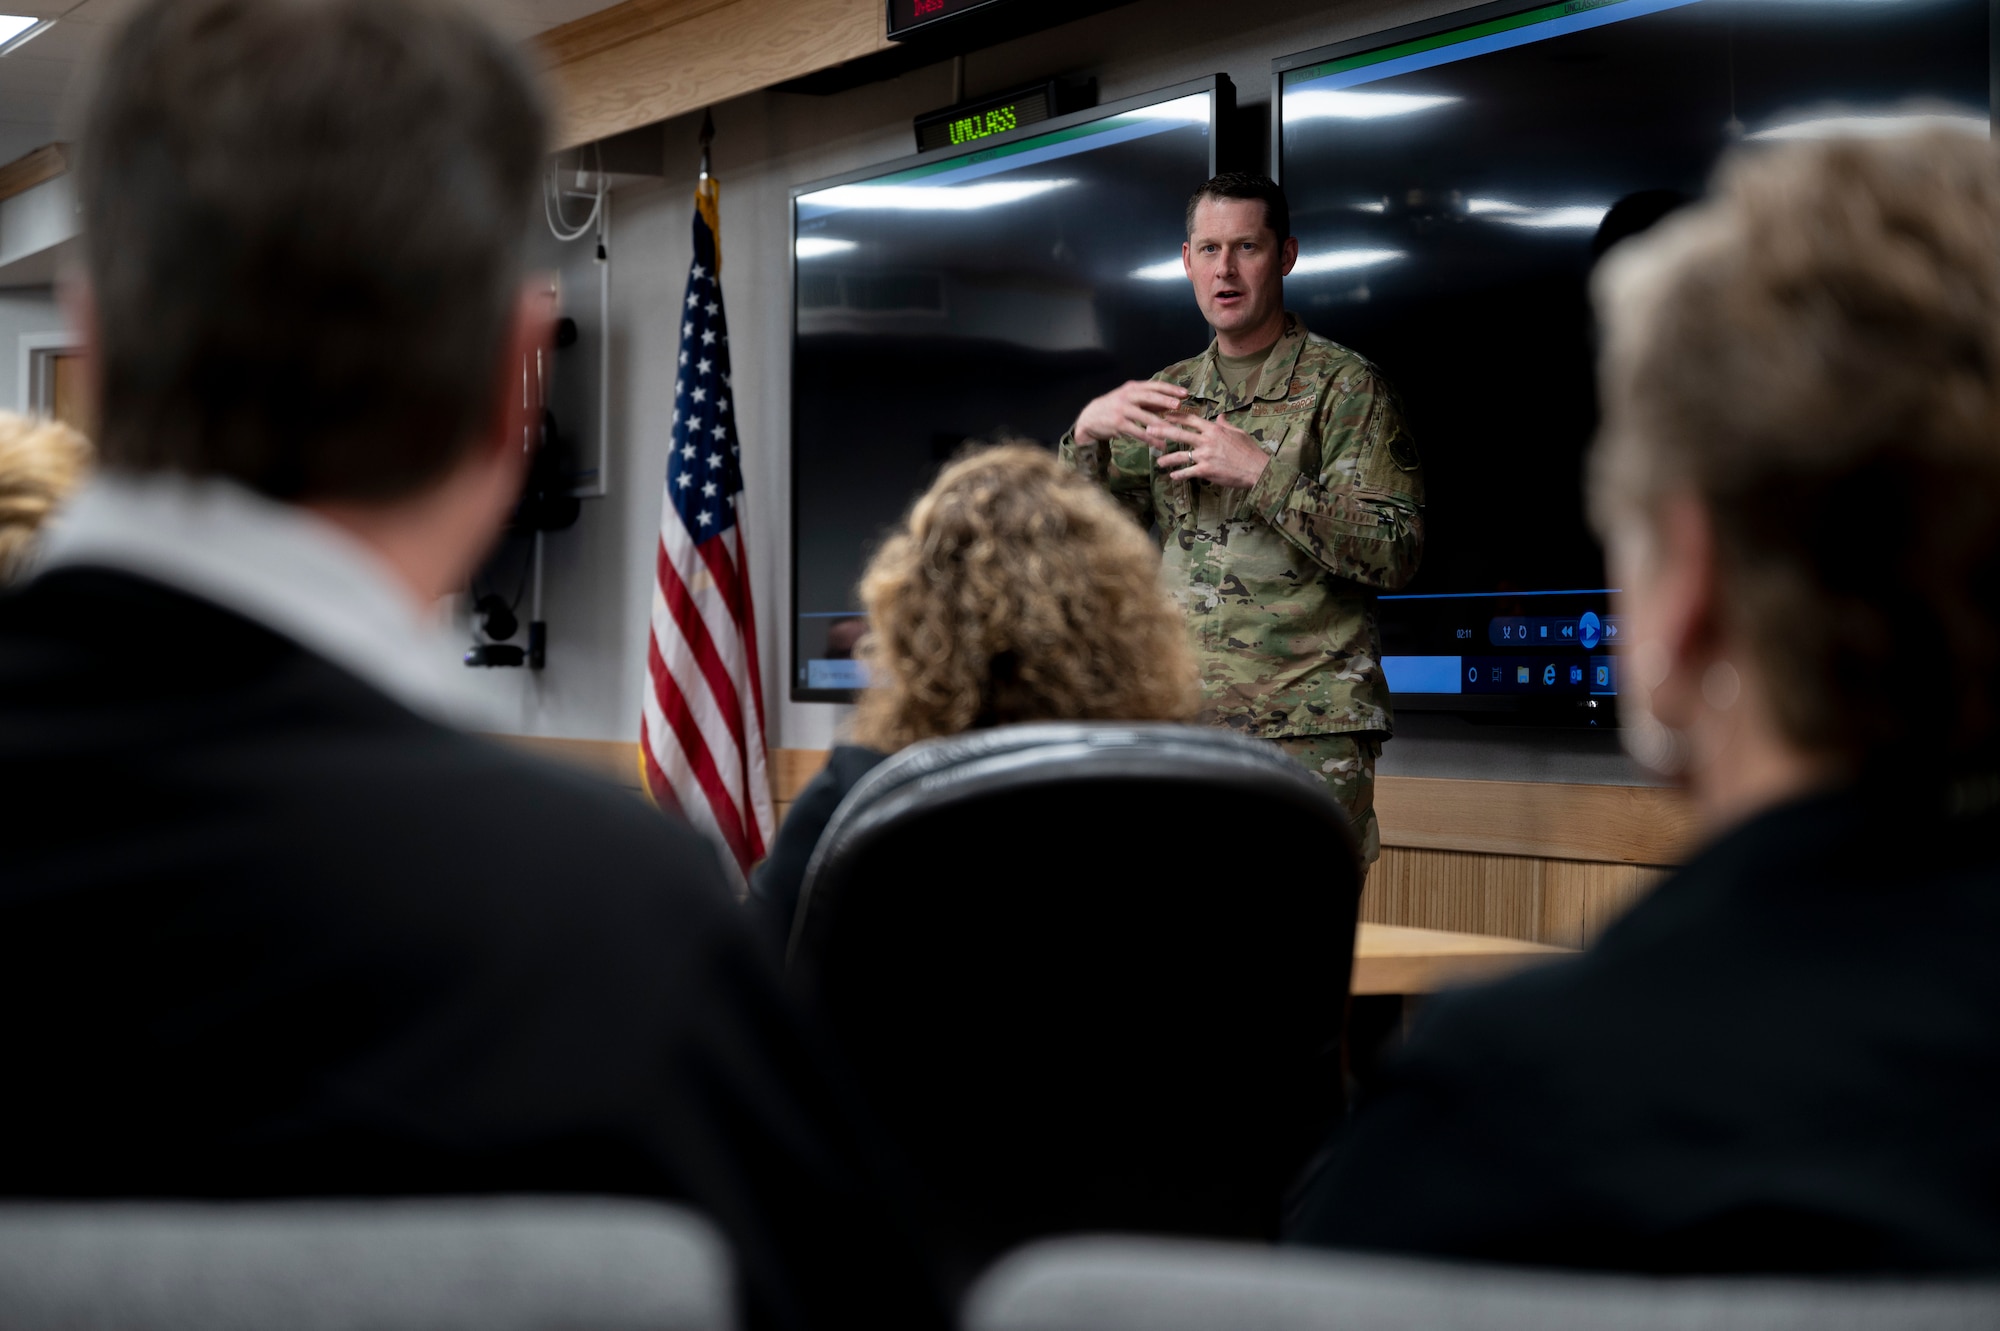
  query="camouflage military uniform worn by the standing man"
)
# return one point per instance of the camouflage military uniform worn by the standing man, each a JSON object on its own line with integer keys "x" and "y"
{"x": 1279, "y": 581}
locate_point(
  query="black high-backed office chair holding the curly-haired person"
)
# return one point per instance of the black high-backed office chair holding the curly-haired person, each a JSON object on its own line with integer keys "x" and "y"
{"x": 1091, "y": 976}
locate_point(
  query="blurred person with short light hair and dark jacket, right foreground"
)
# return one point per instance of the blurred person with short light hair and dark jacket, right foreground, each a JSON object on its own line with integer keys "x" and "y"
{"x": 1787, "y": 1056}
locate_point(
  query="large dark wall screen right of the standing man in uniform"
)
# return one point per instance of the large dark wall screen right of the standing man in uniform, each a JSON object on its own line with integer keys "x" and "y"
{"x": 1453, "y": 187}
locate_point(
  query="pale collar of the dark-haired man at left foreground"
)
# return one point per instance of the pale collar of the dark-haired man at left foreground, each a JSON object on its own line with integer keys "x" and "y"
{"x": 277, "y": 565}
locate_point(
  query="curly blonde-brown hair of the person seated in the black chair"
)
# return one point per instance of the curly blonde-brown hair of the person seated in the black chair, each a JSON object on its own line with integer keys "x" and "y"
{"x": 1019, "y": 593}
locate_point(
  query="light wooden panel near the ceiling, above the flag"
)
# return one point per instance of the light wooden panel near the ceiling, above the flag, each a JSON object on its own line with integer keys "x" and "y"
{"x": 645, "y": 61}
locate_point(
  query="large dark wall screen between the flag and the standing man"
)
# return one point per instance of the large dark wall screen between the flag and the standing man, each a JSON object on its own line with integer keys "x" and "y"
{"x": 975, "y": 295}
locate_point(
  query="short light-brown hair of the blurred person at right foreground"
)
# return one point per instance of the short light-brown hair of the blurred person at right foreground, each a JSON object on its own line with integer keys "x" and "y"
{"x": 1815, "y": 355}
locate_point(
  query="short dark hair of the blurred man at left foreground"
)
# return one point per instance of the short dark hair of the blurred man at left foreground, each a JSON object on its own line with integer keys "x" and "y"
{"x": 305, "y": 227}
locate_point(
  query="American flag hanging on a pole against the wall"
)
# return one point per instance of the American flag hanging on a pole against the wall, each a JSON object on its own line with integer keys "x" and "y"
{"x": 703, "y": 726}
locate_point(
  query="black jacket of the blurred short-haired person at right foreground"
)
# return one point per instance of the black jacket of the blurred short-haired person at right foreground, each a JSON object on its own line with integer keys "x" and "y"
{"x": 1797, "y": 994}
